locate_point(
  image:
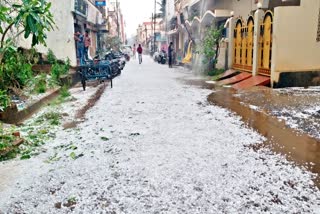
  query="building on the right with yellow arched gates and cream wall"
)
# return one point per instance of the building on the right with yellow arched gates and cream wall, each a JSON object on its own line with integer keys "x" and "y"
{"x": 260, "y": 37}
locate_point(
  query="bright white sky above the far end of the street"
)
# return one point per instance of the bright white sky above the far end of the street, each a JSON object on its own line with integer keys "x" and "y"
{"x": 135, "y": 12}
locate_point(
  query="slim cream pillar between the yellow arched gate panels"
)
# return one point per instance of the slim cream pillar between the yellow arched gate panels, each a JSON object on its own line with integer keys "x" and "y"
{"x": 257, "y": 20}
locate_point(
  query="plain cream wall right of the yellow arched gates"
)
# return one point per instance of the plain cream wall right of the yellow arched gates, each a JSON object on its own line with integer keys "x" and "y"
{"x": 295, "y": 46}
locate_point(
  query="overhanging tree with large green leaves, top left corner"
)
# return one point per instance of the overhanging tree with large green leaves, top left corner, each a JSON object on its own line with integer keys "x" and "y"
{"x": 31, "y": 18}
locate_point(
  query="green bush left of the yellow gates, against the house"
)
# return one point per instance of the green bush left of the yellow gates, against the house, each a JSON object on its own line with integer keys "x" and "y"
{"x": 210, "y": 46}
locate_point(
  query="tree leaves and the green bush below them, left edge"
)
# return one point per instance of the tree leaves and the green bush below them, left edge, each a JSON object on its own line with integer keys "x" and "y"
{"x": 31, "y": 18}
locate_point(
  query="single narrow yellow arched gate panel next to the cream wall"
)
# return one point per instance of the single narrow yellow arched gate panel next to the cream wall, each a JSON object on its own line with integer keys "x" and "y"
{"x": 266, "y": 45}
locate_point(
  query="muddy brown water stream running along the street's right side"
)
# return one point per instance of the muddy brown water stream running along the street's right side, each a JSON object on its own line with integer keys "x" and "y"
{"x": 300, "y": 148}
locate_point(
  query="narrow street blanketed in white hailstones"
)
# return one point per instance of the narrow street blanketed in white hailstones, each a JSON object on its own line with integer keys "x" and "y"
{"x": 153, "y": 144}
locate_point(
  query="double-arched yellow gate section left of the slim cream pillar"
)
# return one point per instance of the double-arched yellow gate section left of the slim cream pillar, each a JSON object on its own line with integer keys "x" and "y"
{"x": 243, "y": 48}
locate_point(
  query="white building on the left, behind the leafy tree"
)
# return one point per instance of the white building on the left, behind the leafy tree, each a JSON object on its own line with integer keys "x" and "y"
{"x": 72, "y": 16}
